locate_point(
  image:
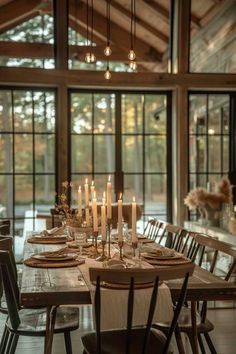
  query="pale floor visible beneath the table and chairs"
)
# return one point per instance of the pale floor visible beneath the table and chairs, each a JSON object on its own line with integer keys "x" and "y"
{"x": 224, "y": 335}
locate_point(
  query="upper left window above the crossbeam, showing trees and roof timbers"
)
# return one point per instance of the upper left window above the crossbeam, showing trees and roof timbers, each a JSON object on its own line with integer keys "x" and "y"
{"x": 27, "y": 34}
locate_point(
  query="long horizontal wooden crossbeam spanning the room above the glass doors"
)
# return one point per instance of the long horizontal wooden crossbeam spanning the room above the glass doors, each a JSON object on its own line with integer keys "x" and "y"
{"x": 79, "y": 78}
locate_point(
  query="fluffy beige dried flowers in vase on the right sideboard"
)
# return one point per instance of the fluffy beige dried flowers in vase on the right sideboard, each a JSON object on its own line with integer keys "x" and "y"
{"x": 208, "y": 203}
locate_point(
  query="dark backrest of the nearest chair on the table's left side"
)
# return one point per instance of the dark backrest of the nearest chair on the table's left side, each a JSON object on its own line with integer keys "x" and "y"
{"x": 7, "y": 265}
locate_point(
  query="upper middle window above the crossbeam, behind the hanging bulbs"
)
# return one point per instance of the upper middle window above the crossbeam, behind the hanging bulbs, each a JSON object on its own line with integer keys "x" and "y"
{"x": 151, "y": 30}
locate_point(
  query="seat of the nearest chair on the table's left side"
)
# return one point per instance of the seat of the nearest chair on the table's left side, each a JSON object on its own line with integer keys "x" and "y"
{"x": 34, "y": 321}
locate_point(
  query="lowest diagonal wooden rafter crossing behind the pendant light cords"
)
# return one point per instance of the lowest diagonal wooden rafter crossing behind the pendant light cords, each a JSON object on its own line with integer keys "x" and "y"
{"x": 119, "y": 35}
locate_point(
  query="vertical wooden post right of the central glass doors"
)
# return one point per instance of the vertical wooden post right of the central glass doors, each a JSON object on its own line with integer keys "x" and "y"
{"x": 180, "y": 65}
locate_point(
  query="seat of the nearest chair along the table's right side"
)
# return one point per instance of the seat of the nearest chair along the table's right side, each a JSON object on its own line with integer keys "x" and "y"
{"x": 185, "y": 323}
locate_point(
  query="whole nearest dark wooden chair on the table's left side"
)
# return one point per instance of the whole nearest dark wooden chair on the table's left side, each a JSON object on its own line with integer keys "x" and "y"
{"x": 32, "y": 321}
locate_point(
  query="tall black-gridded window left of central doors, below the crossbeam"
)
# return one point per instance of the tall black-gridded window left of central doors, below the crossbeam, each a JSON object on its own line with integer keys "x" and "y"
{"x": 27, "y": 155}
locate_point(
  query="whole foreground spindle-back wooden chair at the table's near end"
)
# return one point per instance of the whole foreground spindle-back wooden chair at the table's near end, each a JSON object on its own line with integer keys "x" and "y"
{"x": 134, "y": 339}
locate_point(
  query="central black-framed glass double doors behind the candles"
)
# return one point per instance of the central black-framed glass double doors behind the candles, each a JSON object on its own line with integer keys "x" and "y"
{"x": 125, "y": 136}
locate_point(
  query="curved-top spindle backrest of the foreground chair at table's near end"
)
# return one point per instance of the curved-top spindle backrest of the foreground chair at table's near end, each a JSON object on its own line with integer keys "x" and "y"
{"x": 136, "y": 278}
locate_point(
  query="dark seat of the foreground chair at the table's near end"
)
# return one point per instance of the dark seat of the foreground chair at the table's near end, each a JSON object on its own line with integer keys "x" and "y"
{"x": 113, "y": 342}
